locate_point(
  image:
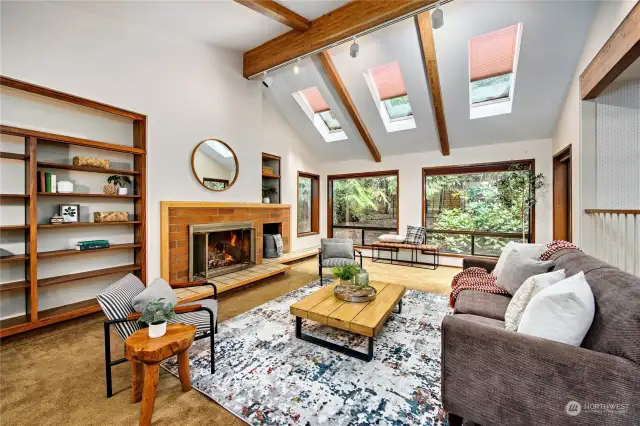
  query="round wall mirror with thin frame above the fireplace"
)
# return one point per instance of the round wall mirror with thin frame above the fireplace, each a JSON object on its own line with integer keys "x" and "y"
{"x": 214, "y": 164}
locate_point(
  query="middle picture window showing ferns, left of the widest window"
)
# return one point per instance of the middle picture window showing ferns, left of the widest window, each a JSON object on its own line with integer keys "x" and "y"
{"x": 363, "y": 206}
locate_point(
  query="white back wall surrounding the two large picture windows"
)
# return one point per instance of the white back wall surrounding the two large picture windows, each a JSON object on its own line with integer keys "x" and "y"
{"x": 410, "y": 179}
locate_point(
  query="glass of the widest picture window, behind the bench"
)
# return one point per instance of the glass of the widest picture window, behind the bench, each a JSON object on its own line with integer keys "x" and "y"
{"x": 473, "y": 202}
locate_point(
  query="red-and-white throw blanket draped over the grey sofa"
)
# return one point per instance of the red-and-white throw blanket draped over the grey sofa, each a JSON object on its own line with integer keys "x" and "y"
{"x": 479, "y": 279}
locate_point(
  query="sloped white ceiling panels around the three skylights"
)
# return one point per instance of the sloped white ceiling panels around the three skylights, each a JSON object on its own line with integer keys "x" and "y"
{"x": 553, "y": 34}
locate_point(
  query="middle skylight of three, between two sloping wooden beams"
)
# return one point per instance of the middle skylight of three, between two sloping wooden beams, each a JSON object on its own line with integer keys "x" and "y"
{"x": 387, "y": 88}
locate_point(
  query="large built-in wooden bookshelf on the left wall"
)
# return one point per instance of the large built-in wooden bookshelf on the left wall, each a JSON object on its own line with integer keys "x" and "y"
{"x": 34, "y": 317}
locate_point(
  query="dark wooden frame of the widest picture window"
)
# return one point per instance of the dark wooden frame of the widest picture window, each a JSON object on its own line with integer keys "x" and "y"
{"x": 500, "y": 166}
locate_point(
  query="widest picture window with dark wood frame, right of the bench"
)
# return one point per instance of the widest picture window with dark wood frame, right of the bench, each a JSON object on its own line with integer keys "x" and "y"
{"x": 464, "y": 209}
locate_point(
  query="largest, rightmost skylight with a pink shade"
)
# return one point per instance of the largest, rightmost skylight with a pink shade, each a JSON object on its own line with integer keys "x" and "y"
{"x": 493, "y": 61}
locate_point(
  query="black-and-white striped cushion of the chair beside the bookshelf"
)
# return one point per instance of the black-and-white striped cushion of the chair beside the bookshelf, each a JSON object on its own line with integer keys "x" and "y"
{"x": 116, "y": 303}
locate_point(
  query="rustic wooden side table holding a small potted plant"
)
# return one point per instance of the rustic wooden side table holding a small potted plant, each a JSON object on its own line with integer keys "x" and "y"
{"x": 142, "y": 350}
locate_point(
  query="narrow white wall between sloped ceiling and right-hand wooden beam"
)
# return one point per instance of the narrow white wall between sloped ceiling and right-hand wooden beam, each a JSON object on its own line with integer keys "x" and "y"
{"x": 568, "y": 128}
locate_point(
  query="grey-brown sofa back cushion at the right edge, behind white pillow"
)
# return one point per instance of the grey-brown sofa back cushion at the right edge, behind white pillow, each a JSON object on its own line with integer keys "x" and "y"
{"x": 616, "y": 323}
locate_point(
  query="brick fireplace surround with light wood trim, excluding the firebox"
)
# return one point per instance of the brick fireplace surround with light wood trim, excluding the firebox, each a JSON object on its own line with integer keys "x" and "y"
{"x": 177, "y": 216}
